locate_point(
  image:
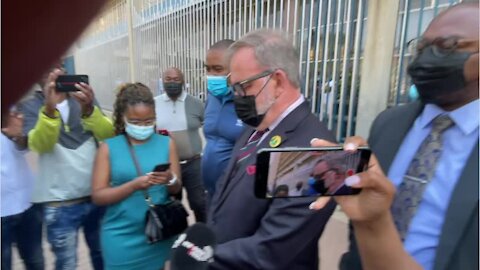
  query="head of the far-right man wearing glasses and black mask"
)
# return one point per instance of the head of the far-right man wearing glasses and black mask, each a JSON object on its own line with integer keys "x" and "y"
{"x": 446, "y": 70}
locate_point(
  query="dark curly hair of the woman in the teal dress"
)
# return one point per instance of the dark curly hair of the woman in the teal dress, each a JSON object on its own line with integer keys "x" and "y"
{"x": 130, "y": 94}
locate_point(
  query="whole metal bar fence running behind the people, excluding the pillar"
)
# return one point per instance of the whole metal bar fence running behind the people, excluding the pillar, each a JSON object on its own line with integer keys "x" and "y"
{"x": 136, "y": 40}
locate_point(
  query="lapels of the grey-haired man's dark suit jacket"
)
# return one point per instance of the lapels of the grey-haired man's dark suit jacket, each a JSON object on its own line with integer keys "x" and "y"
{"x": 289, "y": 123}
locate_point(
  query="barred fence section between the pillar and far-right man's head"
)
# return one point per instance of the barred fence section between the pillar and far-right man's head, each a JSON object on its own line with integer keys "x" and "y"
{"x": 413, "y": 19}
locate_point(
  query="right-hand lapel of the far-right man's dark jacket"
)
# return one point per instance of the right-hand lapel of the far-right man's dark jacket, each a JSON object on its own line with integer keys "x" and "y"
{"x": 464, "y": 200}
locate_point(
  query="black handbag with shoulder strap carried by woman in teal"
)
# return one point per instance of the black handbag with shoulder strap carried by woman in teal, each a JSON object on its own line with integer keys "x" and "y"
{"x": 161, "y": 220}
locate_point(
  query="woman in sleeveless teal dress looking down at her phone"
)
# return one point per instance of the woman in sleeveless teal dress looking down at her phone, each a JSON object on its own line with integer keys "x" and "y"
{"x": 117, "y": 184}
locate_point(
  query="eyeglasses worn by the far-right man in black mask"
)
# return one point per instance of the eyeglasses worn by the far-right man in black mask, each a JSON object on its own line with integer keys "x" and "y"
{"x": 442, "y": 46}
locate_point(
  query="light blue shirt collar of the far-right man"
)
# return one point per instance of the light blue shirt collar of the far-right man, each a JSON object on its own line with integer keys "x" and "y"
{"x": 465, "y": 117}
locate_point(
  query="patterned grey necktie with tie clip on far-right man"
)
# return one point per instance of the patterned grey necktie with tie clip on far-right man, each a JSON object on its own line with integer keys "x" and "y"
{"x": 420, "y": 172}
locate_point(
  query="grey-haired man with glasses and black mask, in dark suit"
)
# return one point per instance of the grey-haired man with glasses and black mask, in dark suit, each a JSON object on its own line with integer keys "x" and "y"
{"x": 259, "y": 233}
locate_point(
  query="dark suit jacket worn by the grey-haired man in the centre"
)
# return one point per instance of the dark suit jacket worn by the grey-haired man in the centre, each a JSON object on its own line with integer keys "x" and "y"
{"x": 267, "y": 234}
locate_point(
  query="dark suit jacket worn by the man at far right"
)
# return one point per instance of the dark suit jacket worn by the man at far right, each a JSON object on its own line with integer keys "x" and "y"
{"x": 458, "y": 245}
